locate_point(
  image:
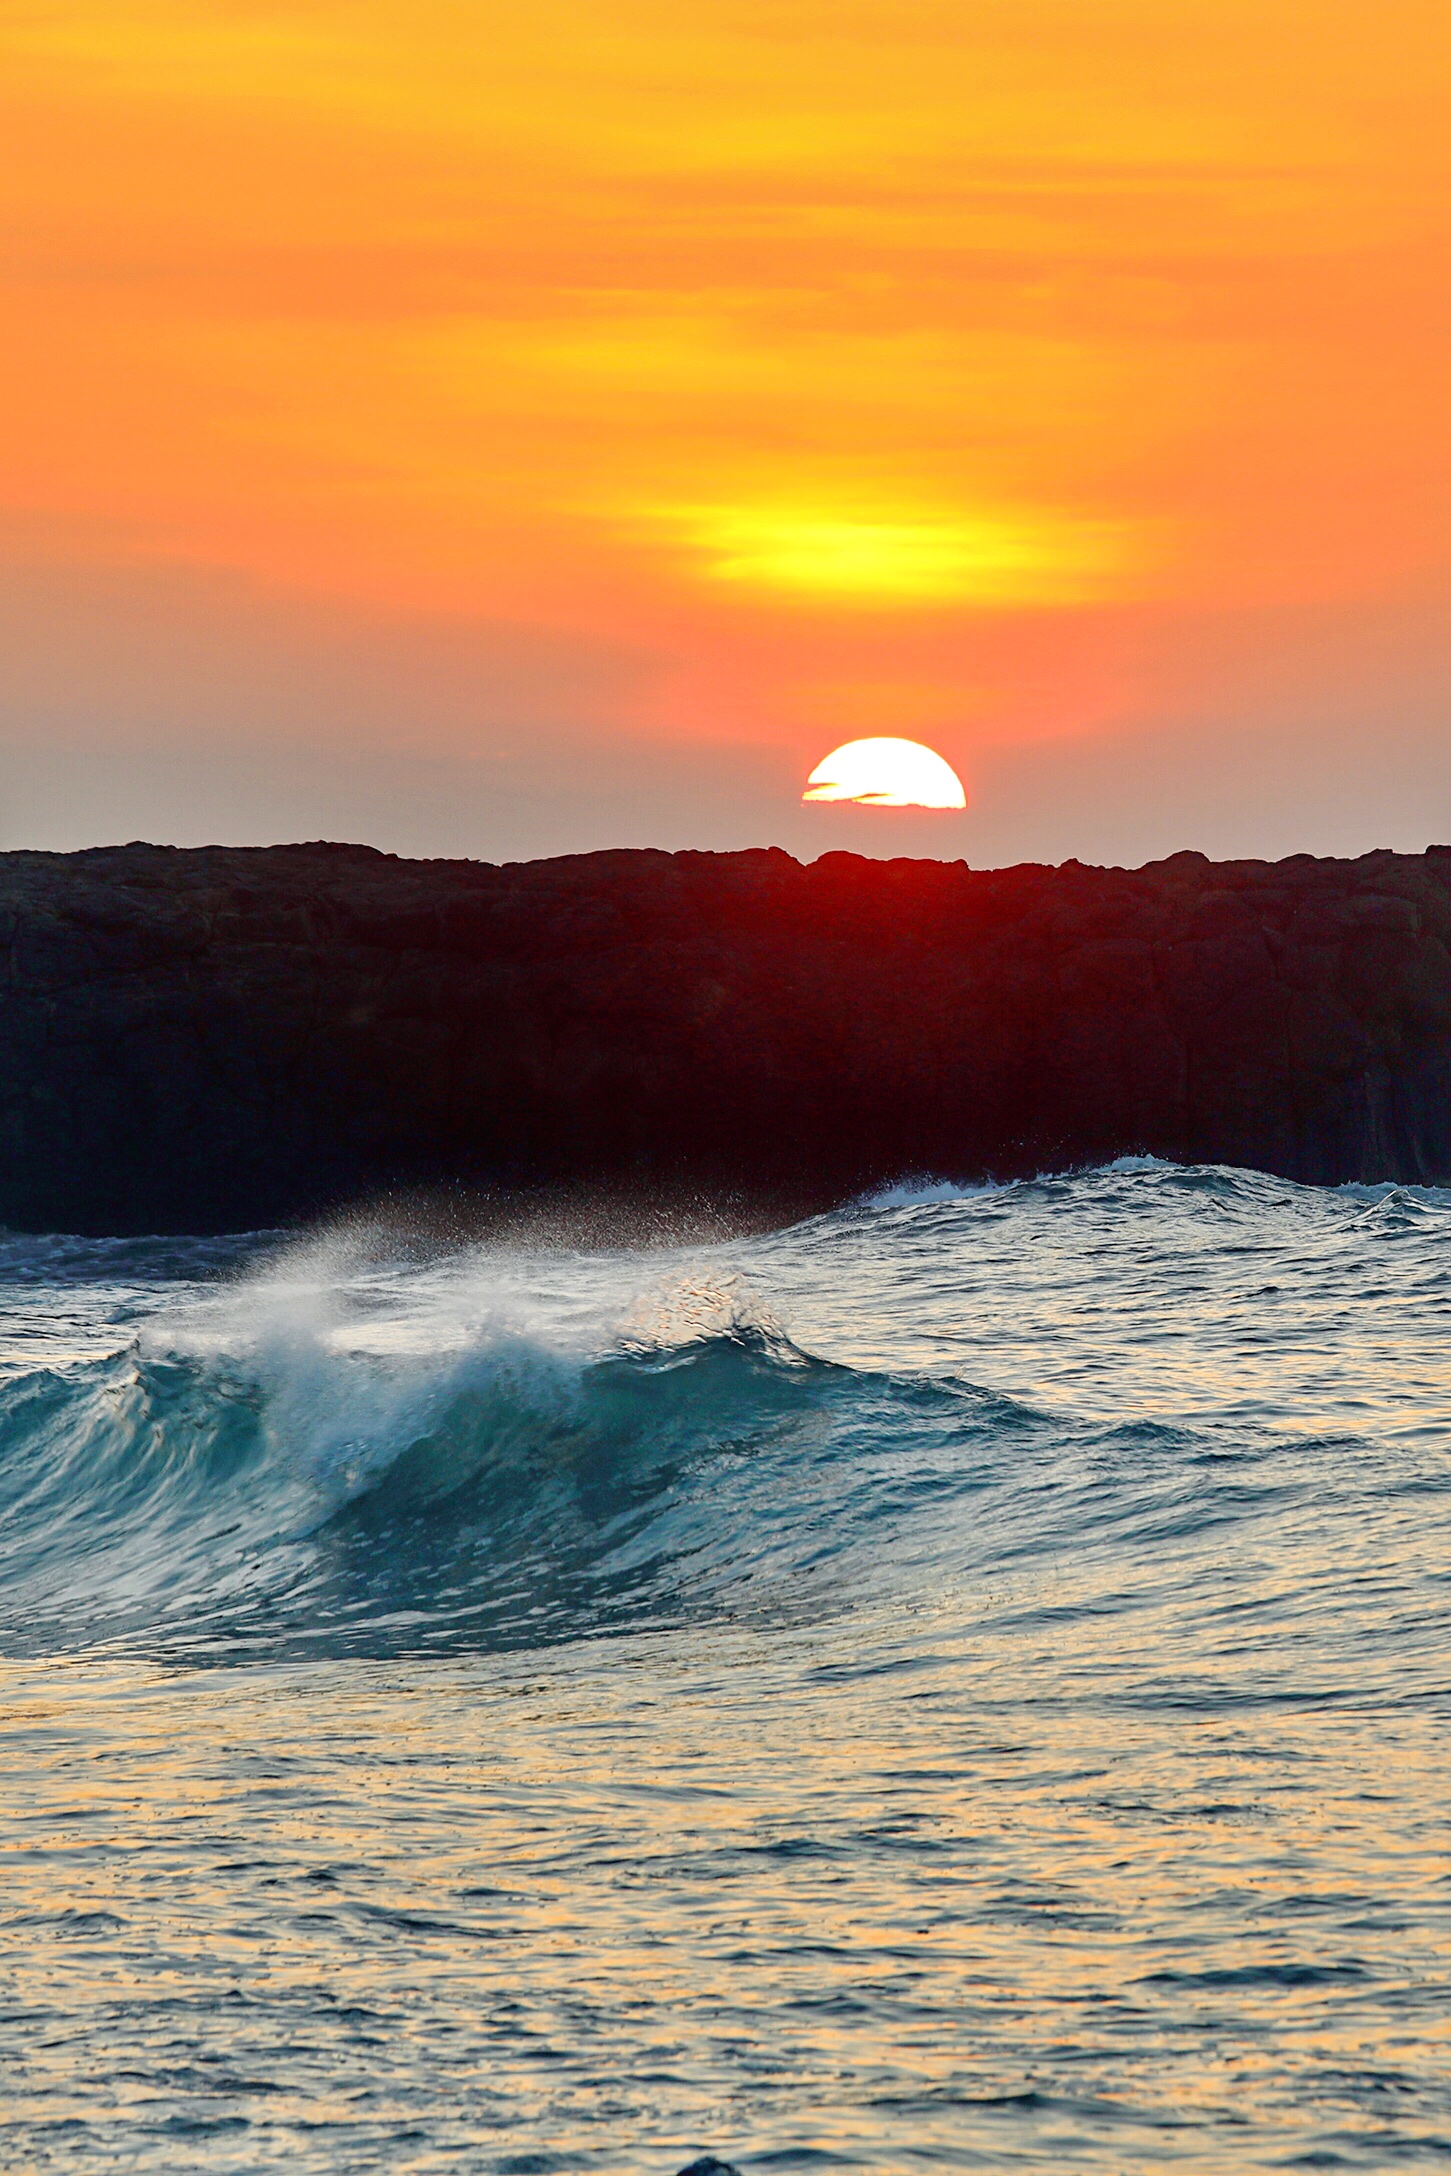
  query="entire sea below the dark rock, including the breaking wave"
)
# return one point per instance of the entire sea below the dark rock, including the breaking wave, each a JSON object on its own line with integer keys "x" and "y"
{"x": 960, "y": 1683}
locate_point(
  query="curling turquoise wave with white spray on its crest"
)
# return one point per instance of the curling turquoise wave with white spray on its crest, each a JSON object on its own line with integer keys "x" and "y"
{"x": 349, "y": 1503}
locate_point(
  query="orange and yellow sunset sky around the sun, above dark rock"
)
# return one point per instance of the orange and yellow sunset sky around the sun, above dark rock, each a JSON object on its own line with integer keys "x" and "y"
{"x": 541, "y": 425}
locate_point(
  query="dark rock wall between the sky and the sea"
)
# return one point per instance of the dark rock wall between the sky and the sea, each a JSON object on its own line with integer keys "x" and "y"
{"x": 240, "y": 1037}
